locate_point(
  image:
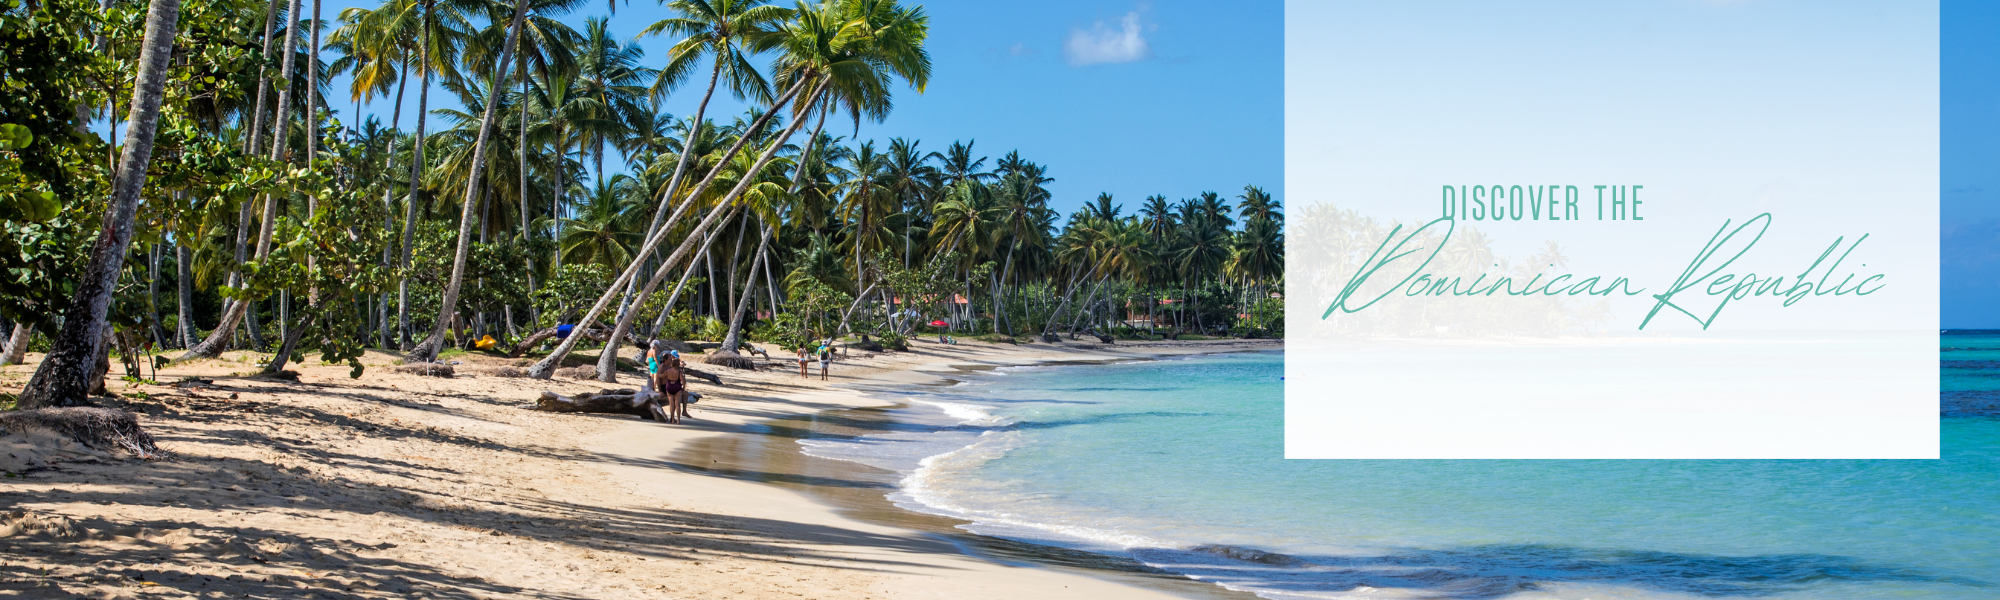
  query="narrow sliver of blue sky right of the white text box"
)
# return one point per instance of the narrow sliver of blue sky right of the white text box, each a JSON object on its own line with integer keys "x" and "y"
{"x": 1971, "y": 165}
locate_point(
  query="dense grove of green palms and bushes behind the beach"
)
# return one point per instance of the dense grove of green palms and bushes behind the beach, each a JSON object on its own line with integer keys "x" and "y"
{"x": 269, "y": 219}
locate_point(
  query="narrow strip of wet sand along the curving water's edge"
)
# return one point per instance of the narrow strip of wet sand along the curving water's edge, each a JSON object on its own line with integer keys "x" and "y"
{"x": 835, "y": 493}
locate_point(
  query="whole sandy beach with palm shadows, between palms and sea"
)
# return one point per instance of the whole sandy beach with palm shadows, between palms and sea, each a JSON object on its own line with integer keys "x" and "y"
{"x": 417, "y": 487}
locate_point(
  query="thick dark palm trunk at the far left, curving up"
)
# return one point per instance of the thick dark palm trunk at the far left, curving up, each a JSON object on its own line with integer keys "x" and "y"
{"x": 65, "y": 375}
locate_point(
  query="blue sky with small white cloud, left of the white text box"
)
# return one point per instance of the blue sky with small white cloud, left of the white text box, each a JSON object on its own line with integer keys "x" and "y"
{"x": 1115, "y": 97}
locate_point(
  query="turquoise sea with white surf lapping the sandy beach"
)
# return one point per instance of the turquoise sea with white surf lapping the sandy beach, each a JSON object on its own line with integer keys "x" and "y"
{"x": 1177, "y": 465}
